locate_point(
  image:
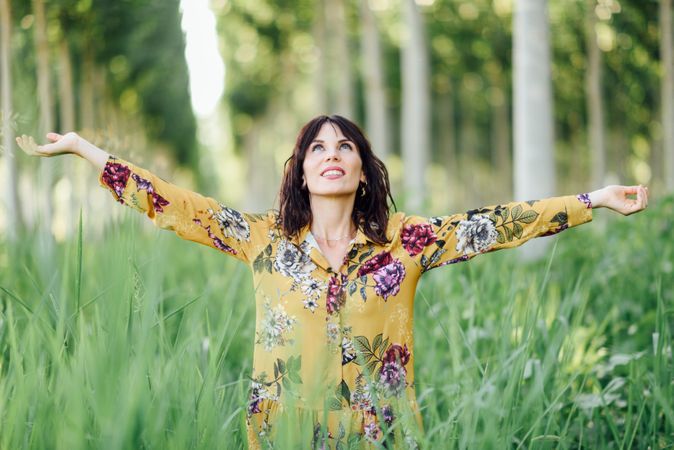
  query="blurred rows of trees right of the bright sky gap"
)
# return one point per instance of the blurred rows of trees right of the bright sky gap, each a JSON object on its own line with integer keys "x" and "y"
{"x": 443, "y": 83}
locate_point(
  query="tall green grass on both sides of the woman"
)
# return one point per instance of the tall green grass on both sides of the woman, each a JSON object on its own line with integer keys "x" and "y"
{"x": 141, "y": 340}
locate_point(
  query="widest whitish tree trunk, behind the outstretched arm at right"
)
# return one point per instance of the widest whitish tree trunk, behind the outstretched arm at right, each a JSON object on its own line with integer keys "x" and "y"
{"x": 534, "y": 169}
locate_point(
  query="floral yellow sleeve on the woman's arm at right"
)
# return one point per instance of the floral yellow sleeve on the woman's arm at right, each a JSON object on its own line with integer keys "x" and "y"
{"x": 444, "y": 240}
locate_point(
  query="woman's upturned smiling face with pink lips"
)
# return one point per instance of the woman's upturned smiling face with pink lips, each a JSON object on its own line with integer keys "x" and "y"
{"x": 332, "y": 164}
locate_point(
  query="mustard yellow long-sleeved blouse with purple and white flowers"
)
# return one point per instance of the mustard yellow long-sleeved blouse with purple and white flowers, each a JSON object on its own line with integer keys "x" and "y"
{"x": 336, "y": 349}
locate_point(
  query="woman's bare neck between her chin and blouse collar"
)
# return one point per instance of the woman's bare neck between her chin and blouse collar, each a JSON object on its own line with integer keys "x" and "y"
{"x": 332, "y": 216}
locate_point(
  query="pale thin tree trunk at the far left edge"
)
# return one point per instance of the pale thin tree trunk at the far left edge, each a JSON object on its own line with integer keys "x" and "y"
{"x": 13, "y": 207}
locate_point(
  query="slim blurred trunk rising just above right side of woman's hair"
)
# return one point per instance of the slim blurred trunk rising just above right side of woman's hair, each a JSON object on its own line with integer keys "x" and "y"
{"x": 375, "y": 96}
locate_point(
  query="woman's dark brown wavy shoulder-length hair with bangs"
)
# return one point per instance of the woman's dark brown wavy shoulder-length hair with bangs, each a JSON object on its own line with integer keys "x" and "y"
{"x": 370, "y": 211}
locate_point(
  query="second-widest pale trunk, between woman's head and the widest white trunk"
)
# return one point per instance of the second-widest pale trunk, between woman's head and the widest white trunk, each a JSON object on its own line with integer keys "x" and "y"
{"x": 415, "y": 106}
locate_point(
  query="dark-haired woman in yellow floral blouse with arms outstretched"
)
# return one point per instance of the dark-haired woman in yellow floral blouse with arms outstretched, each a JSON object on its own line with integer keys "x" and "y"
{"x": 335, "y": 276}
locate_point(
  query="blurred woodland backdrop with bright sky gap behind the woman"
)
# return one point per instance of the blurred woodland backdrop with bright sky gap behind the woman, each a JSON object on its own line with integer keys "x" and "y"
{"x": 468, "y": 102}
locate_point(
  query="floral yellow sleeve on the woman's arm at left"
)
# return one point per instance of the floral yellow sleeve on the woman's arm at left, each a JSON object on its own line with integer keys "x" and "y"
{"x": 189, "y": 214}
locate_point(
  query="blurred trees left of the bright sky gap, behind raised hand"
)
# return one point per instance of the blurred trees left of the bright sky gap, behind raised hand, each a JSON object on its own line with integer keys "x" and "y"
{"x": 115, "y": 71}
